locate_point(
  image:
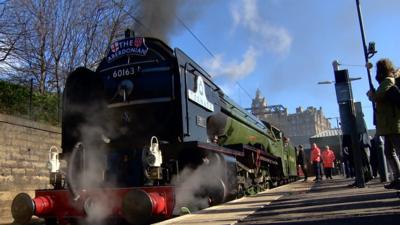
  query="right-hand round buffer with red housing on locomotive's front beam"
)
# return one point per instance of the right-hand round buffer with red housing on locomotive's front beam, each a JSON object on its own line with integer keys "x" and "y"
{"x": 139, "y": 207}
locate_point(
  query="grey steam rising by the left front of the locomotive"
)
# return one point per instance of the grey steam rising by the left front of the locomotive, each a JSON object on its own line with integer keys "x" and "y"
{"x": 87, "y": 166}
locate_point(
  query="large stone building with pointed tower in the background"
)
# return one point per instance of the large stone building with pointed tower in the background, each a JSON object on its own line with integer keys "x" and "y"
{"x": 299, "y": 126}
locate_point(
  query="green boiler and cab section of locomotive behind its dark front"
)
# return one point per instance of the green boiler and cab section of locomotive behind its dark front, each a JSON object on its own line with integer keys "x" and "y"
{"x": 270, "y": 159}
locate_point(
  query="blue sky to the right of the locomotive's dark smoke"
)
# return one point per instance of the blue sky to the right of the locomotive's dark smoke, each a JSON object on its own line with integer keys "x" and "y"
{"x": 285, "y": 47}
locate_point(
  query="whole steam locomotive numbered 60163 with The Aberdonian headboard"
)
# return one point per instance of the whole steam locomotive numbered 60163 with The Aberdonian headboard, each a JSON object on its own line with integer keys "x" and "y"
{"x": 141, "y": 129}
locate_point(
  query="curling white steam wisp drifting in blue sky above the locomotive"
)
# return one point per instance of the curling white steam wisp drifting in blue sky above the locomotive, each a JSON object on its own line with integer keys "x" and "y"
{"x": 263, "y": 36}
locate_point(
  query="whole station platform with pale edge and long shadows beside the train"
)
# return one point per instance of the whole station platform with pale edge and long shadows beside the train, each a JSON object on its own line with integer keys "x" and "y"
{"x": 330, "y": 202}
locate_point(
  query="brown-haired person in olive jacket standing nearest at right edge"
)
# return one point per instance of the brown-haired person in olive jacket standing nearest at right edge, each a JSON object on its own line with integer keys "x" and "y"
{"x": 387, "y": 117}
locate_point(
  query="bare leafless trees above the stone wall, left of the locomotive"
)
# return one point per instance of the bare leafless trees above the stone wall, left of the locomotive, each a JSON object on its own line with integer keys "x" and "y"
{"x": 54, "y": 37}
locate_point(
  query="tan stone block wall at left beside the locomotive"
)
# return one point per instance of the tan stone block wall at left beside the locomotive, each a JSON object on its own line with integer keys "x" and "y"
{"x": 24, "y": 148}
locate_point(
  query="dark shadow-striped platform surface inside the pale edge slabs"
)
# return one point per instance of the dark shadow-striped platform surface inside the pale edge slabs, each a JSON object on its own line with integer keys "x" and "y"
{"x": 332, "y": 202}
